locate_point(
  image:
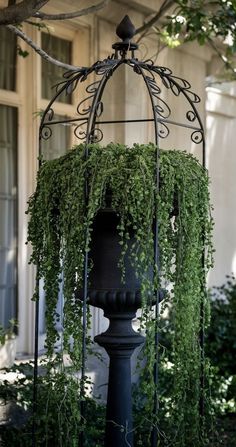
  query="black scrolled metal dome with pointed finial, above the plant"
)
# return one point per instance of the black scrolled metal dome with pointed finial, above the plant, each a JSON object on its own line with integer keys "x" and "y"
{"x": 88, "y": 123}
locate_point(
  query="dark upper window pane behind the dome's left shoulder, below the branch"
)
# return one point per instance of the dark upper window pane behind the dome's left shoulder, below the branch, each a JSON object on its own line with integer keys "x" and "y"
{"x": 60, "y": 49}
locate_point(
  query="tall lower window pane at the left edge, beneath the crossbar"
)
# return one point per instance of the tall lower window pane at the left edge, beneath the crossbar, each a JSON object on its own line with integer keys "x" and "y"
{"x": 8, "y": 214}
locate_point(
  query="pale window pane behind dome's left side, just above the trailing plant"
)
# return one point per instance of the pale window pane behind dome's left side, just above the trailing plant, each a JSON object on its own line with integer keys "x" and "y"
{"x": 59, "y": 142}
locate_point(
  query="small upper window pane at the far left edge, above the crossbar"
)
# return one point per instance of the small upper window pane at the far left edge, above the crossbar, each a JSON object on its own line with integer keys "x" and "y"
{"x": 7, "y": 59}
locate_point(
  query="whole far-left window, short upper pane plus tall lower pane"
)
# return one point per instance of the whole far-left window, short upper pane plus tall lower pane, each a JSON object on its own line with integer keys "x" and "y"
{"x": 8, "y": 181}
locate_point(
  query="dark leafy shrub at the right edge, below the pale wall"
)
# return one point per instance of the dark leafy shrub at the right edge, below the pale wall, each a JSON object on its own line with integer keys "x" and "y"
{"x": 221, "y": 345}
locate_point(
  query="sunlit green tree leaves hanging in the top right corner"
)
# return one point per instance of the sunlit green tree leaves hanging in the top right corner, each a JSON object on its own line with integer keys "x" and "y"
{"x": 207, "y": 22}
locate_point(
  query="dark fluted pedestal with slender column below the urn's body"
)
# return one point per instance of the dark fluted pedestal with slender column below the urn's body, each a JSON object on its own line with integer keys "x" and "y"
{"x": 120, "y": 341}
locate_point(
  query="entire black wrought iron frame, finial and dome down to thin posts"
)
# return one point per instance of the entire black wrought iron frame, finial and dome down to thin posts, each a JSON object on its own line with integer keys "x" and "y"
{"x": 88, "y": 129}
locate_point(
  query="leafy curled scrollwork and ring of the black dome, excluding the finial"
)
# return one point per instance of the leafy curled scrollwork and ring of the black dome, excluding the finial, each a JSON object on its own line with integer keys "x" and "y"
{"x": 90, "y": 108}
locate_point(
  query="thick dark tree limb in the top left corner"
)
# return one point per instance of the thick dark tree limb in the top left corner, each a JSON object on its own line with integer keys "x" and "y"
{"x": 17, "y": 13}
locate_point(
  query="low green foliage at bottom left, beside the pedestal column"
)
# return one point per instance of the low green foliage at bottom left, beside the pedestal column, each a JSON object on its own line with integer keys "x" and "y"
{"x": 58, "y": 421}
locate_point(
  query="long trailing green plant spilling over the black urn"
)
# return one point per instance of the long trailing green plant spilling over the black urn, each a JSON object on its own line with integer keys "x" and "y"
{"x": 60, "y": 231}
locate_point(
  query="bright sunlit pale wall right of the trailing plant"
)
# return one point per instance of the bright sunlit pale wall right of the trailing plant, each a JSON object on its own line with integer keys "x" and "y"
{"x": 221, "y": 162}
